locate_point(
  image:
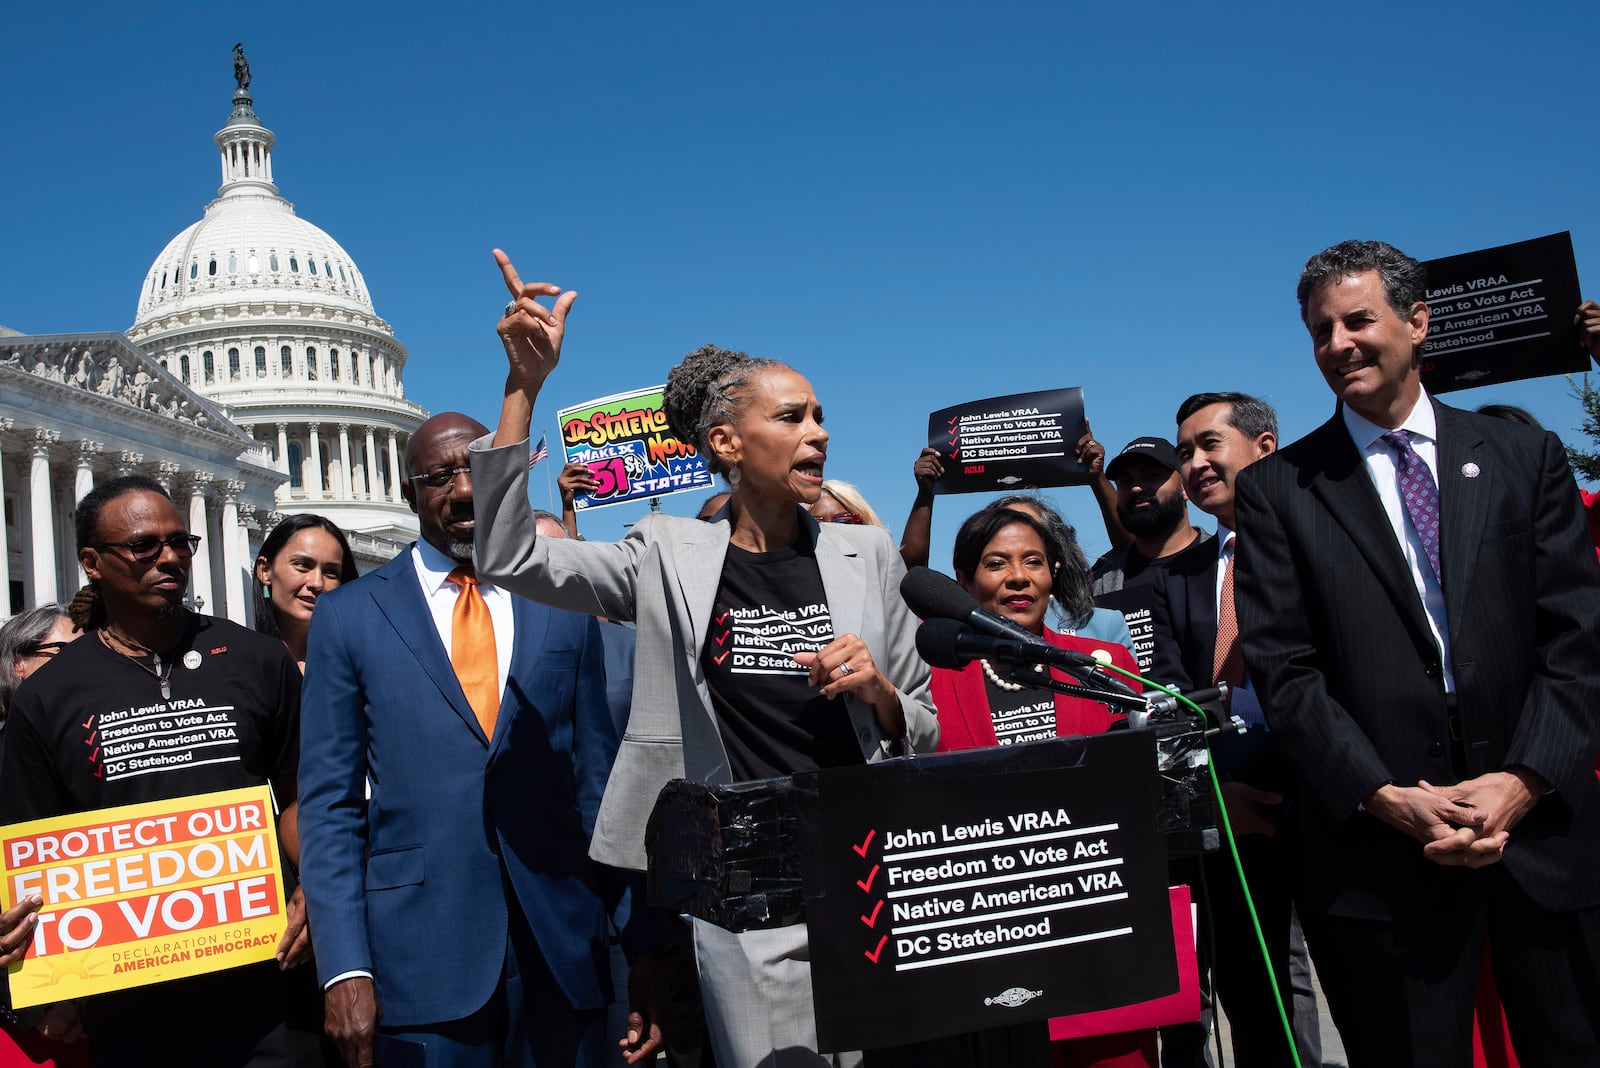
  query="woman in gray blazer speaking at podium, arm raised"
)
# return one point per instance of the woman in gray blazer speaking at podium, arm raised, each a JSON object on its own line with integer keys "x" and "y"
{"x": 767, "y": 644}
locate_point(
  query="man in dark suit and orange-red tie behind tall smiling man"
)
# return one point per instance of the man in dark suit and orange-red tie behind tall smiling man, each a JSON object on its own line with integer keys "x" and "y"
{"x": 1196, "y": 639}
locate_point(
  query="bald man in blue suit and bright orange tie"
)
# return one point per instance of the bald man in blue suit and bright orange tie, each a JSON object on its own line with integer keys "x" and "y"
{"x": 458, "y": 903}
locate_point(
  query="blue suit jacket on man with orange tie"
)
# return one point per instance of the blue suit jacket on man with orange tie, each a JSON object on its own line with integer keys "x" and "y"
{"x": 412, "y": 883}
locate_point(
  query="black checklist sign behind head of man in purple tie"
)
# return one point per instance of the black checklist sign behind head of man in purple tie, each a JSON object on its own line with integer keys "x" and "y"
{"x": 1503, "y": 314}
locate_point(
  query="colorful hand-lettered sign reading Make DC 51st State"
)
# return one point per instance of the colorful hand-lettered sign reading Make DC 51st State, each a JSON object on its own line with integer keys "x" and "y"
{"x": 628, "y": 445}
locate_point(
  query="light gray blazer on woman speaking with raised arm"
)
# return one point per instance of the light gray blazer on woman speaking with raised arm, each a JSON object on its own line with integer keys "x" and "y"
{"x": 665, "y": 578}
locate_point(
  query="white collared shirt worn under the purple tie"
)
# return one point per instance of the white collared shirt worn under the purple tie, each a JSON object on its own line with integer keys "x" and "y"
{"x": 1383, "y": 469}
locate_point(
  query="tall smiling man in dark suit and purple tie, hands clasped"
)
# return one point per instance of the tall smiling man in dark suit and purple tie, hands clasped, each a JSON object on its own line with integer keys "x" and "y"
{"x": 1422, "y": 620}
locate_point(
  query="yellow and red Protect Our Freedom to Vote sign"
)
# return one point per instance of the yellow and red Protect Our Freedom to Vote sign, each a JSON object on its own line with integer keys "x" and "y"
{"x": 145, "y": 893}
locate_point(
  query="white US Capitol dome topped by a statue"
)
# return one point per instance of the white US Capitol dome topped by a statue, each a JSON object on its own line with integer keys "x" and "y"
{"x": 263, "y": 314}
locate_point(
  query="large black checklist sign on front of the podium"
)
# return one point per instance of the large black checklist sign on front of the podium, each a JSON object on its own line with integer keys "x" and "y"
{"x": 986, "y": 888}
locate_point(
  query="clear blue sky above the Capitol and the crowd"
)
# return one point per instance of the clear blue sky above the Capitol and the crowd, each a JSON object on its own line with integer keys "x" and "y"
{"x": 914, "y": 205}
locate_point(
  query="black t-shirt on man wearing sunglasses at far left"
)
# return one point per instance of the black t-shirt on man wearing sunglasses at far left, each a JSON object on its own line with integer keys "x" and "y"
{"x": 90, "y": 730}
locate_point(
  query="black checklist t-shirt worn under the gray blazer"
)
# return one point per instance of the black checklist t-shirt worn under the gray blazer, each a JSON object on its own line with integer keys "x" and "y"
{"x": 772, "y": 720}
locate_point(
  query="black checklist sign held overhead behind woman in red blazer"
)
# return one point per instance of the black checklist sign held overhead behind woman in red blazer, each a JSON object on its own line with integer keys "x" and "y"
{"x": 1010, "y": 442}
